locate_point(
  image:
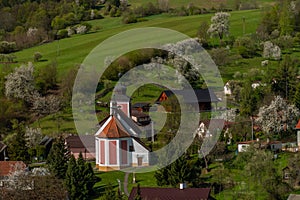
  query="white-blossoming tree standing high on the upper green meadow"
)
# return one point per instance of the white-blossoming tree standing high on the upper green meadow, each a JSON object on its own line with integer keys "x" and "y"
{"x": 219, "y": 25}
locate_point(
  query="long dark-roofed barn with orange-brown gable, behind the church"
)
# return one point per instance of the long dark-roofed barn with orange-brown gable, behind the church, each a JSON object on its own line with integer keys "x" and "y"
{"x": 204, "y": 97}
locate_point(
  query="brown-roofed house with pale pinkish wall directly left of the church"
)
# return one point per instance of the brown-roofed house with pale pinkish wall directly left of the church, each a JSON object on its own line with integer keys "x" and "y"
{"x": 83, "y": 143}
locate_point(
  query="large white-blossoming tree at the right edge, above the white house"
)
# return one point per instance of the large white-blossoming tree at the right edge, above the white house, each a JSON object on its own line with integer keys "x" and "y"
{"x": 278, "y": 115}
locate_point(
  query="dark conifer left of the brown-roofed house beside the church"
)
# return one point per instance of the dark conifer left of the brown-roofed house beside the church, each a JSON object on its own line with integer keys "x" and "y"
{"x": 57, "y": 159}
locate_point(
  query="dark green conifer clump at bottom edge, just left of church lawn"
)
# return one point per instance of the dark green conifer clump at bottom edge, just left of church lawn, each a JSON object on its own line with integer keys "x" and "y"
{"x": 80, "y": 178}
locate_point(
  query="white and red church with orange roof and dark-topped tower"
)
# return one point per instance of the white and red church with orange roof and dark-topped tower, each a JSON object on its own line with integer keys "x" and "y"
{"x": 118, "y": 145}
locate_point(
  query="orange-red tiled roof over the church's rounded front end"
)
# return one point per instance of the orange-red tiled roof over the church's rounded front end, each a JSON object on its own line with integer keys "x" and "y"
{"x": 113, "y": 129}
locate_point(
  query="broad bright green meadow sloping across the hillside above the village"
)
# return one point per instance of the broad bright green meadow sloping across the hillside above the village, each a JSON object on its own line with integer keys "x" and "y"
{"x": 71, "y": 51}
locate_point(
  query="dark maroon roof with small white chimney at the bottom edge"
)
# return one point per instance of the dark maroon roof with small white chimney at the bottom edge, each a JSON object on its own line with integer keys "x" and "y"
{"x": 151, "y": 193}
